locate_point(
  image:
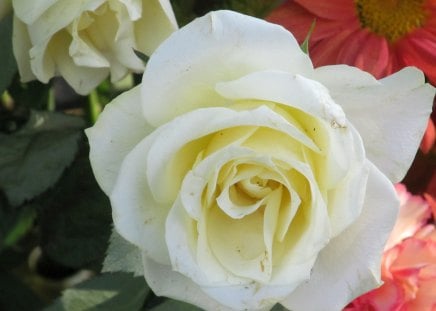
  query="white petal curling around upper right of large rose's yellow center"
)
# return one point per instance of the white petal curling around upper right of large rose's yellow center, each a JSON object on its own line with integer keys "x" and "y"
{"x": 344, "y": 148}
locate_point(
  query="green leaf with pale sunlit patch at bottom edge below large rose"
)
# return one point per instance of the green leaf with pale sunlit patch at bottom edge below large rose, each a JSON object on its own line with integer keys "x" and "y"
{"x": 111, "y": 291}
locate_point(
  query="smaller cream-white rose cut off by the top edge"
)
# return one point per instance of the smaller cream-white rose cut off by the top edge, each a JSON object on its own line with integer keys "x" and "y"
{"x": 84, "y": 41}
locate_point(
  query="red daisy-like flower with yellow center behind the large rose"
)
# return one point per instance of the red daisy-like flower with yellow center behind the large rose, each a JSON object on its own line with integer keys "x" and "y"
{"x": 377, "y": 36}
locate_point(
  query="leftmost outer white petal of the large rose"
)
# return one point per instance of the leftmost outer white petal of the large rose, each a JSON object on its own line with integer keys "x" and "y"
{"x": 117, "y": 131}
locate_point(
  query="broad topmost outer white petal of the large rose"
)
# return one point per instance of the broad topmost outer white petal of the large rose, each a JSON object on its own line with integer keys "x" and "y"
{"x": 223, "y": 46}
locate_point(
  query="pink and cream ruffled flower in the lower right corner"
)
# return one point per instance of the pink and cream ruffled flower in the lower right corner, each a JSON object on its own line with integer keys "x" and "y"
{"x": 408, "y": 264}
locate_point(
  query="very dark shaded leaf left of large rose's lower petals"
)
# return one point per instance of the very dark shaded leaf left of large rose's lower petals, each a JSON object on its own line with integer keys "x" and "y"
{"x": 75, "y": 218}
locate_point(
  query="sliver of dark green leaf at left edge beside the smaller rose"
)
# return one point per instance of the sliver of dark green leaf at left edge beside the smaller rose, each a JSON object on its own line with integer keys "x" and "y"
{"x": 7, "y": 61}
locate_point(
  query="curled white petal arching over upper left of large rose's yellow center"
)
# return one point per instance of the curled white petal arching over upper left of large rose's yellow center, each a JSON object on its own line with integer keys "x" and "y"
{"x": 163, "y": 180}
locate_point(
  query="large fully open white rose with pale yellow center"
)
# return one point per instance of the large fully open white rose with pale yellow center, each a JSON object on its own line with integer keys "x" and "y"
{"x": 247, "y": 178}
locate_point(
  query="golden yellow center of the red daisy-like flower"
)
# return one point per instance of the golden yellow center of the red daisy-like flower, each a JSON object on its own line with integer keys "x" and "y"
{"x": 392, "y": 19}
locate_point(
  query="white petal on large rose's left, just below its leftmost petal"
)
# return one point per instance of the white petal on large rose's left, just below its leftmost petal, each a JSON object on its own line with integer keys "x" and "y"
{"x": 137, "y": 217}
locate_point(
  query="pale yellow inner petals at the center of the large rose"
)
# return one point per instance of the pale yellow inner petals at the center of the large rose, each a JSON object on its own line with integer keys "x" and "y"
{"x": 256, "y": 209}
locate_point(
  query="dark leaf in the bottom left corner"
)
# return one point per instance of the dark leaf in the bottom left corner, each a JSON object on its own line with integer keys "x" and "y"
{"x": 16, "y": 296}
